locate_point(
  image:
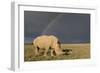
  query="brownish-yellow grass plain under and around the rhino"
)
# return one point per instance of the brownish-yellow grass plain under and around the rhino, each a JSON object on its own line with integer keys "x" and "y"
{"x": 79, "y": 51}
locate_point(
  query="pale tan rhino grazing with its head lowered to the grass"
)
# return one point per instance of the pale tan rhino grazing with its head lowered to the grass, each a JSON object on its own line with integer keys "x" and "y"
{"x": 46, "y": 42}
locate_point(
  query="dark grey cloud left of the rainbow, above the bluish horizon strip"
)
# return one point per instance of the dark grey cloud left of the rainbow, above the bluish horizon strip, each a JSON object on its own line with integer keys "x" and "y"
{"x": 35, "y": 22}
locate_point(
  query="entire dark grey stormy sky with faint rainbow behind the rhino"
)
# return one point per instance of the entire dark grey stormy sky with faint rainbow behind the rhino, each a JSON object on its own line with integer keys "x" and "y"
{"x": 68, "y": 27}
